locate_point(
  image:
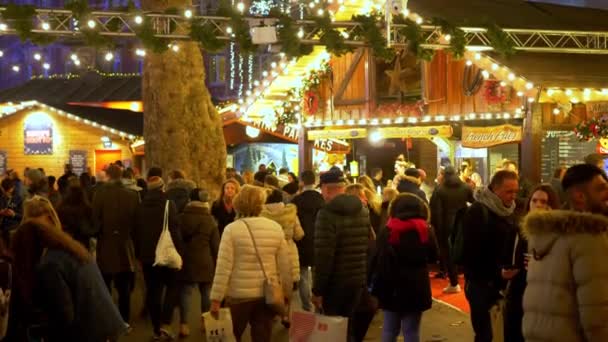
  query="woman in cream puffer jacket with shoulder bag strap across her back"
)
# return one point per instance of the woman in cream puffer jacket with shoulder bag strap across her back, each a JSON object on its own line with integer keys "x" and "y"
{"x": 239, "y": 277}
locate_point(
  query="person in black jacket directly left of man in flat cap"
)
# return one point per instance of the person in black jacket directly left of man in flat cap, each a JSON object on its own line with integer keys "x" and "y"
{"x": 309, "y": 202}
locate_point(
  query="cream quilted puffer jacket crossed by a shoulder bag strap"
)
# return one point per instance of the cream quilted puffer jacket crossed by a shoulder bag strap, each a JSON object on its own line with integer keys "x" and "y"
{"x": 238, "y": 273}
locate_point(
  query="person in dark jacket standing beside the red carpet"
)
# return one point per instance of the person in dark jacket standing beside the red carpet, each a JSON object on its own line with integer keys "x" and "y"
{"x": 450, "y": 197}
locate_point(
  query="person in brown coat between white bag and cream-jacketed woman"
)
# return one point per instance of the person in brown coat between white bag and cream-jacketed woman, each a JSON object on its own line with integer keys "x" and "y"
{"x": 201, "y": 244}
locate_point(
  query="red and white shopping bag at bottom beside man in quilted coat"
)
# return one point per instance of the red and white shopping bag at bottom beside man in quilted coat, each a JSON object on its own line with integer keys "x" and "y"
{"x": 311, "y": 327}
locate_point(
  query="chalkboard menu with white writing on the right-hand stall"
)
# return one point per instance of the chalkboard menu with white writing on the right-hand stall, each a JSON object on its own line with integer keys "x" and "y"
{"x": 562, "y": 148}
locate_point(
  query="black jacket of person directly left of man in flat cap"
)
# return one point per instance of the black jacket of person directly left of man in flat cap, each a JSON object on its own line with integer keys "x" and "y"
{"x": 308, "y": 203}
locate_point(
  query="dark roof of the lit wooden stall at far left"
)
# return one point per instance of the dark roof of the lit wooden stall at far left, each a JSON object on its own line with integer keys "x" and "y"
{"x": 89, "y": 87}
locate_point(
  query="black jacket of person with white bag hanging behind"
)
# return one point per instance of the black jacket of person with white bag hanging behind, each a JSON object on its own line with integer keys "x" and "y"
{"x": 149, "y": 225}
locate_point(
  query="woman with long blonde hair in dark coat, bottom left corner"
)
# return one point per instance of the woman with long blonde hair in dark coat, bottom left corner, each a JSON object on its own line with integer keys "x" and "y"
{"x": 56, "y": 274}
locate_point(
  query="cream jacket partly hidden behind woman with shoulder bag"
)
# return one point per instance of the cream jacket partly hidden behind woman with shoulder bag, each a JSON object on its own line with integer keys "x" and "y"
{"x": 287, "y": 217}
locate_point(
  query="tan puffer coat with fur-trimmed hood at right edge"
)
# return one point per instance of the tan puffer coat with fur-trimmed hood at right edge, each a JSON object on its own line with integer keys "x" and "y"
{"x": 566, "y": 298}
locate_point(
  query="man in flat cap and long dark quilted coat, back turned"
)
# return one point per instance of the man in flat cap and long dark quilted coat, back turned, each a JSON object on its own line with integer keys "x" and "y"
{"x": 341, "y": 241}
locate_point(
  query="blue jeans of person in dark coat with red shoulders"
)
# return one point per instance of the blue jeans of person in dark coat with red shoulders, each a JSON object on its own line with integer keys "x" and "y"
{"x": 409, "y": 323}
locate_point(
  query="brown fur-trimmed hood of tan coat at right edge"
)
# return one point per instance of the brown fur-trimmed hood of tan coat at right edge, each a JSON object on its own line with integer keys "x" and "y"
{"x": 542, "y": 229}
